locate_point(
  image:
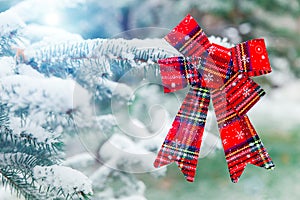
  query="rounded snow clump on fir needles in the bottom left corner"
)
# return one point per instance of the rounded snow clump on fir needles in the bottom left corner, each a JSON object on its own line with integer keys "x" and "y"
{"x": 66, "y": 178}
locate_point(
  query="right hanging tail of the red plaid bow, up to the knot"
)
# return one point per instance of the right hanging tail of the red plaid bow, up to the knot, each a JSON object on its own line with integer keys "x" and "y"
{"x": 241, "y": 143}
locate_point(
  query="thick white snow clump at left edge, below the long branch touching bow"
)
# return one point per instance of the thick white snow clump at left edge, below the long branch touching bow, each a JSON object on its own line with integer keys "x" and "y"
{"x": 47, "y": 94}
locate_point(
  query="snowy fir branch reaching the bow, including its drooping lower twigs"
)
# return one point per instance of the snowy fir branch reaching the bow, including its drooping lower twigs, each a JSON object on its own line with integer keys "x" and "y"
{"x": 95, "y": 63}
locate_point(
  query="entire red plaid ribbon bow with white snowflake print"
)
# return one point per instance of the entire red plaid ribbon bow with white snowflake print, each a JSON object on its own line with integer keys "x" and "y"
{"x": 222, "y": 74}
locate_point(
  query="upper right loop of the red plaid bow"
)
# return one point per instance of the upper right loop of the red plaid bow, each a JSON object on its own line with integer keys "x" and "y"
{"x": 251, "y": 57}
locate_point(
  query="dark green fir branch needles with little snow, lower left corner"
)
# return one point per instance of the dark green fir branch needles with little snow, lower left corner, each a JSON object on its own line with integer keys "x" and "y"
{"x": 19, "y": 155}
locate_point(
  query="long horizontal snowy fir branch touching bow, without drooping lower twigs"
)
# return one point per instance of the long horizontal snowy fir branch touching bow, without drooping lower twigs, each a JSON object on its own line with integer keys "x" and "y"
{"x": 67, "y": 59}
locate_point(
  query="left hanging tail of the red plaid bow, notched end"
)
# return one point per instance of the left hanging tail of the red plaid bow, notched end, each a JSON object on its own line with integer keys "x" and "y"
{"x": 182, "y": 144}
